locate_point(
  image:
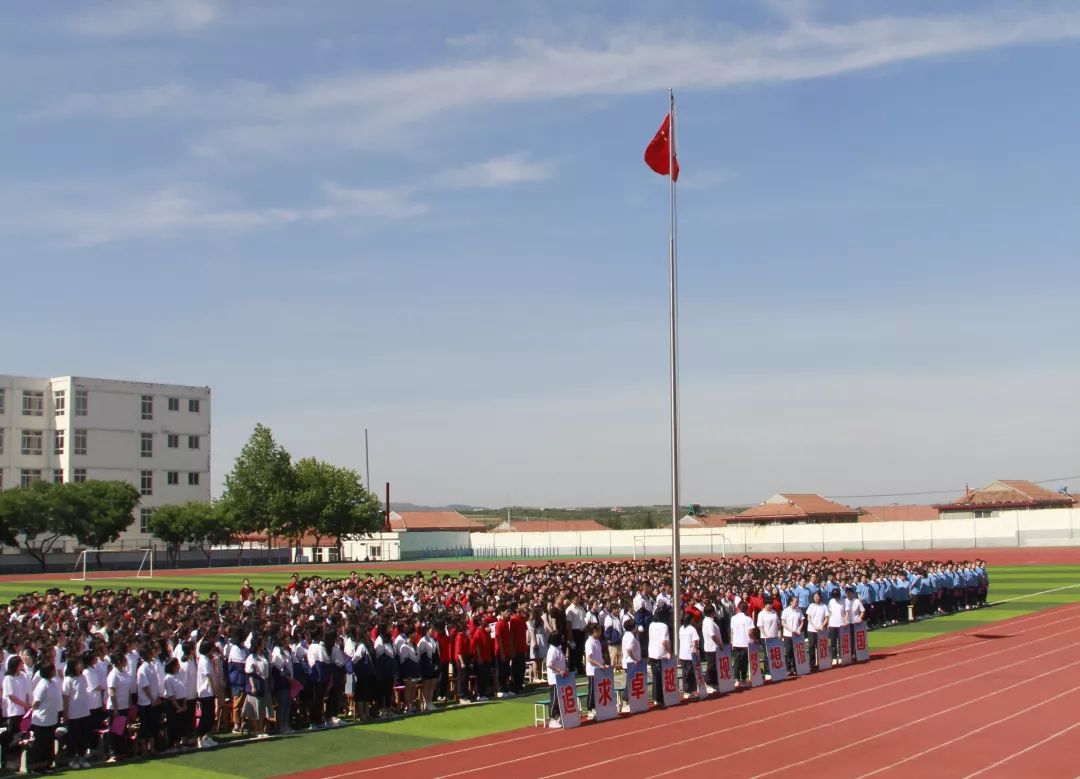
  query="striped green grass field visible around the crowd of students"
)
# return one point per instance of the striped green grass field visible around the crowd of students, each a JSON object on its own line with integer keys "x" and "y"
{"x": 1017, "y": 590}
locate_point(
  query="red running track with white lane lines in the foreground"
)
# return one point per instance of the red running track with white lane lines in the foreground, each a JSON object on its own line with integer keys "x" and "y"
{"x": 1003, "y": 701}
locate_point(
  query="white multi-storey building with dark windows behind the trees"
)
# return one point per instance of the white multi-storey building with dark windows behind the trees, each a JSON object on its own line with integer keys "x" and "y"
{"x": 156, "y": 437}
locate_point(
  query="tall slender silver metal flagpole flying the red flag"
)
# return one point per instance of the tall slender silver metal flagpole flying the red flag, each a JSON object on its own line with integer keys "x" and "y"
{"x": 673, "y": 346}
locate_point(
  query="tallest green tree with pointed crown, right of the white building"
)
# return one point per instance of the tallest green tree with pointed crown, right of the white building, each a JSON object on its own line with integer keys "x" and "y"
{"x": 260, "y": 490}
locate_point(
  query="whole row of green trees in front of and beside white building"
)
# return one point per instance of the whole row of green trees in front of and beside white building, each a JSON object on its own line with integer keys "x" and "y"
{"x": 267, "y": 495}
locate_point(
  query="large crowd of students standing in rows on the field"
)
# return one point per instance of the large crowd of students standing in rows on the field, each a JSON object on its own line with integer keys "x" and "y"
{"x": 114, "y": 675}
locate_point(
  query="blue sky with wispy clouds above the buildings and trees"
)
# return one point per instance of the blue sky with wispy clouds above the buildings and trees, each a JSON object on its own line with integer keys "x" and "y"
{"x": 435, "y": 222}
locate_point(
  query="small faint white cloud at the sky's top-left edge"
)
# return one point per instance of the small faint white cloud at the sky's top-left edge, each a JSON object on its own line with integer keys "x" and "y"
{"x": 129, "y": 18}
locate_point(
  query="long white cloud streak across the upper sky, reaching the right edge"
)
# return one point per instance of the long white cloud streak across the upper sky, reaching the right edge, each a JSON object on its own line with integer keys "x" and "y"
{"x": 368, "y": 109}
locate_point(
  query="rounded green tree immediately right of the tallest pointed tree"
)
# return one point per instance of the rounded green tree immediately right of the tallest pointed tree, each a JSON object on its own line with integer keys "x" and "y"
{"x": 332, "y": 503}
